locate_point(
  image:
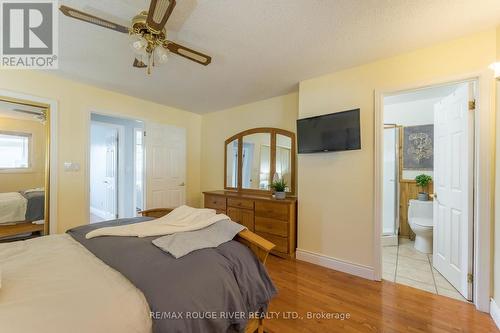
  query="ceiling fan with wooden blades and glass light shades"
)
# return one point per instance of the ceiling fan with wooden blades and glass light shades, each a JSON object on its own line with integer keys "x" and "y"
{"x": 148, "y": 36}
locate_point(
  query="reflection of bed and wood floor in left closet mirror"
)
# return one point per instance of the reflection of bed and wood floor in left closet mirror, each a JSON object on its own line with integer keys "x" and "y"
{"x": 22, "y": 212}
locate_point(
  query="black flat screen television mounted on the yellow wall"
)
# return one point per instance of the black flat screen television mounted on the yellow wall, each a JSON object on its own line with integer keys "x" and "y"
{"x": 332, "y": 132}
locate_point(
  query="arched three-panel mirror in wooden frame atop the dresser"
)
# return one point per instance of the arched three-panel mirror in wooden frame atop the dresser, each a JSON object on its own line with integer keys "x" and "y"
{"x": 255, "y": 156}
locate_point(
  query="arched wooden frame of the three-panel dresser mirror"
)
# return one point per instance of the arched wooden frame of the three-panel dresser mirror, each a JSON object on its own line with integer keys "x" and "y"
{"x": 273, "y": 133}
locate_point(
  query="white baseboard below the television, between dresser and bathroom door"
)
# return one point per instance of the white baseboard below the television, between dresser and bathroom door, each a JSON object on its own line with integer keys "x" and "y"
{"x": 336, "y": 264}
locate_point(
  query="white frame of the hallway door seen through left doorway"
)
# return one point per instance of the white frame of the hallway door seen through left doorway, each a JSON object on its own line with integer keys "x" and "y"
{"x": 120, "y": 172}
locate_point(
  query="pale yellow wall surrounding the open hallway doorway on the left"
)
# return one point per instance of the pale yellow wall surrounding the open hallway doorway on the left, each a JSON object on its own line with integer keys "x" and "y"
{"x": 75, "y": 100}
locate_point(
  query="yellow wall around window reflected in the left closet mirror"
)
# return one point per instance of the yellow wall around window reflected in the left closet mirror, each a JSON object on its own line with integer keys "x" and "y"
{"x": 35, "y": 177}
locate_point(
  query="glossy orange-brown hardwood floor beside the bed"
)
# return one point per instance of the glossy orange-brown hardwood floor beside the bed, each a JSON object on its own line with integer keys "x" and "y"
{"x": 372, "y": 306}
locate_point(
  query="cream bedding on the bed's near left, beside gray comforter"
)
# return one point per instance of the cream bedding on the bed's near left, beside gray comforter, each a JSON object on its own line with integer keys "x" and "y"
{"x": 53, "y": 284}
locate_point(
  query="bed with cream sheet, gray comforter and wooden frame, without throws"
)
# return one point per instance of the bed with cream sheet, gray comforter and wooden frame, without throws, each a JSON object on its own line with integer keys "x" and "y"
{"x": 65, "y": 283}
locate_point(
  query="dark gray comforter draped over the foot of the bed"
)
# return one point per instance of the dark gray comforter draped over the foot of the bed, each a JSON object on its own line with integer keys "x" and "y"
{"x": 209, "y": 290}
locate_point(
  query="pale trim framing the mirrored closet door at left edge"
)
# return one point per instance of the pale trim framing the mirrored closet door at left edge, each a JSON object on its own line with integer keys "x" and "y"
{"x": 52, "y": 152}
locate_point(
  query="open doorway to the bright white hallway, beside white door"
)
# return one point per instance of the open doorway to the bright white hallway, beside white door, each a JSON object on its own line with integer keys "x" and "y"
{"x": 116, "y": 167}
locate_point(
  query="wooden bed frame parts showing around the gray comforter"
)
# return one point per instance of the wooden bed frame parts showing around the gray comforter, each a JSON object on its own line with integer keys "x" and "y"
{"x": 259, "y": 246}
